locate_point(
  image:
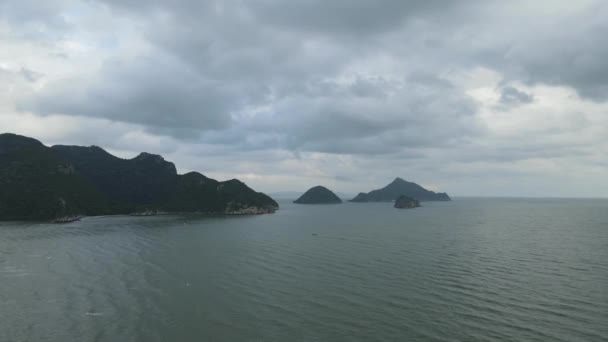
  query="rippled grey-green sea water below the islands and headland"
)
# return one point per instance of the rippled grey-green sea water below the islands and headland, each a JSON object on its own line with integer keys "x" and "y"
{"x": 466, "y": 270}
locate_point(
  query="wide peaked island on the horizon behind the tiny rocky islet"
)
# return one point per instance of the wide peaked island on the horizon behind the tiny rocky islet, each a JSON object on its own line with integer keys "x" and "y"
{"x": 400, "y": 187}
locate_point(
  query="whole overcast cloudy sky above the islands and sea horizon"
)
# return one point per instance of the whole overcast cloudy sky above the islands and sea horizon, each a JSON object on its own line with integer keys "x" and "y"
{"x": 475, "y": 98}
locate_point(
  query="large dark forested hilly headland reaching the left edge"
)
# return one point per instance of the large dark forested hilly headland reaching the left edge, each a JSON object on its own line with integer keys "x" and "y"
{"x": 64, "y": 183}
